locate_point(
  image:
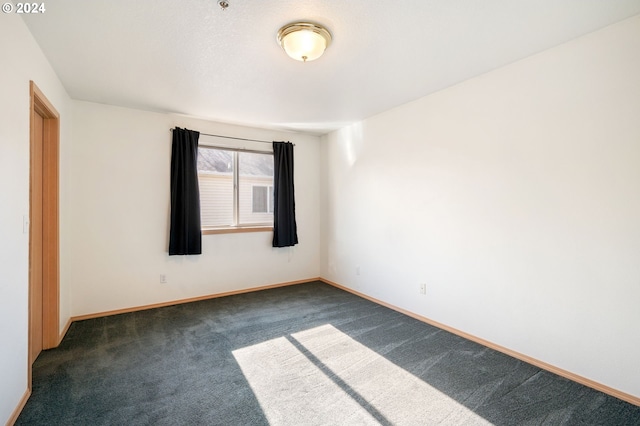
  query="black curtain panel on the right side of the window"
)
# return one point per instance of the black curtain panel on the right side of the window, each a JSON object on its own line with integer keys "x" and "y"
{"x": 285, "y": 232}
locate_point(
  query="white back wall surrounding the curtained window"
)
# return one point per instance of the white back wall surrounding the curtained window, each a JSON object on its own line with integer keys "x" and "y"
{"x": 120, "y": 215}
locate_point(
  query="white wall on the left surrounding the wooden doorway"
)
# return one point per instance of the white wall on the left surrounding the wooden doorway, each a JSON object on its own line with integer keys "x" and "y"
{"x": 22, "y": 61}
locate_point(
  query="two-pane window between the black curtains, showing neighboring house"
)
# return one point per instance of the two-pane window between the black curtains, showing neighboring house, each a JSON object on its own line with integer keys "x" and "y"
{"x": 236, "y": 188}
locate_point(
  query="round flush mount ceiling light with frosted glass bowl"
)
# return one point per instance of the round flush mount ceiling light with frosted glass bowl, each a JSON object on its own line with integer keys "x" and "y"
{"x": 304, "y": 41}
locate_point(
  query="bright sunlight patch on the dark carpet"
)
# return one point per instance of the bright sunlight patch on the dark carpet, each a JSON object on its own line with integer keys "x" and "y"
{"x": 323, "y": 376}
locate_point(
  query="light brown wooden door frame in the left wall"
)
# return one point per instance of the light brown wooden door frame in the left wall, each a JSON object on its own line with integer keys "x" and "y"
{"x": 39, "y": 104}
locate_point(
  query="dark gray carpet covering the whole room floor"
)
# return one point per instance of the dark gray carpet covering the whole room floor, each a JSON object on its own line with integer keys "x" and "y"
{"x": 300, "y": 355}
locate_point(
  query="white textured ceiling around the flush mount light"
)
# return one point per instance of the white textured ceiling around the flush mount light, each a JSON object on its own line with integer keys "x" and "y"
{"x": 191, "y": 57}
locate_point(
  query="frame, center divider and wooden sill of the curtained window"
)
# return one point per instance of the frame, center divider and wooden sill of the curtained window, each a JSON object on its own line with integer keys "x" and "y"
{"x": 236, "y": 227}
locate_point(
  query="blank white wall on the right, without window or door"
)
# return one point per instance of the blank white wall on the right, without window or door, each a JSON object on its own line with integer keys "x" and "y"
{"x": 515, "y": 196}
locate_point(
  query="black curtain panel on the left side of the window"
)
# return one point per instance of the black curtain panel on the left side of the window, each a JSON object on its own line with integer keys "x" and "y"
{"x": 185, "y": 236}
